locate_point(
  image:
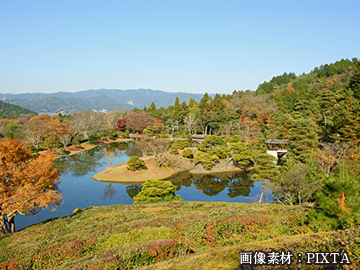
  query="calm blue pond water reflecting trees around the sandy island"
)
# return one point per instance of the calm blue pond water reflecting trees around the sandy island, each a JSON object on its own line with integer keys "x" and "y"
{"x": 81, "y": 191}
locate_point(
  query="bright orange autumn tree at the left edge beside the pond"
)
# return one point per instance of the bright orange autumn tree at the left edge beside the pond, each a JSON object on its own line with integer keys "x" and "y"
{"x": 27, "y": 184}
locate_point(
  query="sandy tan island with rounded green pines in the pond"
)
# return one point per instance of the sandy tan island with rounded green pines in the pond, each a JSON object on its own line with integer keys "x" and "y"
{"x": 212, "y": 155}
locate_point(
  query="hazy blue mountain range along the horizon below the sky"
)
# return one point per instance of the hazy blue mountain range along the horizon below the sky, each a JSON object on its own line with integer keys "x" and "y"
{"x": 108, "y": 99}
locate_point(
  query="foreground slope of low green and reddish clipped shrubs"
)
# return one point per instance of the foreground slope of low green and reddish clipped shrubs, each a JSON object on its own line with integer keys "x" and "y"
{"x": 182, "y": 235}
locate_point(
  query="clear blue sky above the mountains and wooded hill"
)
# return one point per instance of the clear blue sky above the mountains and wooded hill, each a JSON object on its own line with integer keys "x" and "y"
{"x": 174, "y": 45}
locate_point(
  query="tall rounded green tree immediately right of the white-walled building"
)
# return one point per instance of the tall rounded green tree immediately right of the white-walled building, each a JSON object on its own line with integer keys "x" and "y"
{"x": 303, "y": 139}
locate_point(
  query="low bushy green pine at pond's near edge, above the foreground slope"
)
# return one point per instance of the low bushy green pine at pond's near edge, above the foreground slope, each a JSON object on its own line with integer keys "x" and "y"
{"x": 154, "y": 191}
